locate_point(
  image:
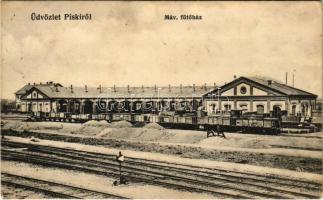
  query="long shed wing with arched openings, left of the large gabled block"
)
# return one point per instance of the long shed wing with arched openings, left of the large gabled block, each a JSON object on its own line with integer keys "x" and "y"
{"x": 53, "y": 97}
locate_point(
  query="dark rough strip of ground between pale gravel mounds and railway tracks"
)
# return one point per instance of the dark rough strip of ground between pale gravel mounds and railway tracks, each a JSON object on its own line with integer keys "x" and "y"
{"x": 259, "y": 159}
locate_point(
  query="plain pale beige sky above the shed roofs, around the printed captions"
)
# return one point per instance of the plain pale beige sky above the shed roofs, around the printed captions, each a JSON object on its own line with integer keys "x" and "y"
{"x": 131, "y": 43}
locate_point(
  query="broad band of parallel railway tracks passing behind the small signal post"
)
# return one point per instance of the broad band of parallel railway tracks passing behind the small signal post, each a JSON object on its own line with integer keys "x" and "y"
{"x": 220, "y": 183}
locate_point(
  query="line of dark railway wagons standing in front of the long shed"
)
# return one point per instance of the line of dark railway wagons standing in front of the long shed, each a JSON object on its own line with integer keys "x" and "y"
{"x": 235, "y": 121}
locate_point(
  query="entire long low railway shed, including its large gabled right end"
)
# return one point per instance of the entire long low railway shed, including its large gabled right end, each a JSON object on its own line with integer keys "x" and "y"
{"x": 249, "y": 94}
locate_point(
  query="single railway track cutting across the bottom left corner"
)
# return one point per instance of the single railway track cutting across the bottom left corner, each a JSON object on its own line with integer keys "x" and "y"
{"x": 55, "y": 190}
